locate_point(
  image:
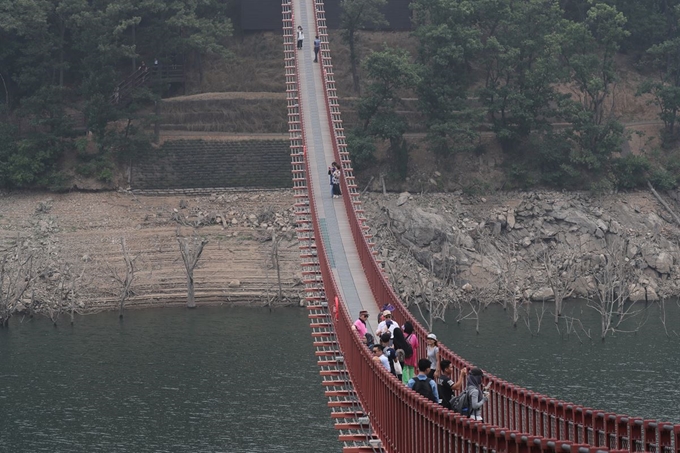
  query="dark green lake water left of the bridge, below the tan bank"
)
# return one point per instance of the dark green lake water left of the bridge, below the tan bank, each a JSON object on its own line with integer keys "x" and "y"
{"x": 167, "y": 380}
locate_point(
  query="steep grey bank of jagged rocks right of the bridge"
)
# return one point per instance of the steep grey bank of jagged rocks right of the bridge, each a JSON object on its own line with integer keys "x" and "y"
{"x": 526, "y": 246}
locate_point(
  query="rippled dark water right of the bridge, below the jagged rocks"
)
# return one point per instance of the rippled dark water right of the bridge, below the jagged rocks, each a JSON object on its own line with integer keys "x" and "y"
{"x": 635, "y": 374}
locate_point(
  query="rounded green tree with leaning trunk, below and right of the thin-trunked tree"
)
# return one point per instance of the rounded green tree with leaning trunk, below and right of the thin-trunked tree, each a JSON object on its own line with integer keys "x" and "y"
{"x": 389, "y": 72}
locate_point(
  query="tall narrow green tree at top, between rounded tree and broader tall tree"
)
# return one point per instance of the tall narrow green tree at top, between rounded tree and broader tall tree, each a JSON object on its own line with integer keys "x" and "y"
{"x": 448, "y": 44}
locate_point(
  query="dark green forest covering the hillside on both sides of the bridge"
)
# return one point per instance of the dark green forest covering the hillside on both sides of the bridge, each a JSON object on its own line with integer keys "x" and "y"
{"x": 538, "y": 74}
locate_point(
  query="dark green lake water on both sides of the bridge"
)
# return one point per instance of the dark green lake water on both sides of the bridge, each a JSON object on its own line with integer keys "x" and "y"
{"x": 220, "y": 379}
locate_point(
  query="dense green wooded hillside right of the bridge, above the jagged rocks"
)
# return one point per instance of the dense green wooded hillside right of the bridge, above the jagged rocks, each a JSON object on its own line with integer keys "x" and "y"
{"x": 518, "y": 69}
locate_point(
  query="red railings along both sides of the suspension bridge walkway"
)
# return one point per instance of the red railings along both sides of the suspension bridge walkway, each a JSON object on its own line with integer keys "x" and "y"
{"x": 516, "y": 419}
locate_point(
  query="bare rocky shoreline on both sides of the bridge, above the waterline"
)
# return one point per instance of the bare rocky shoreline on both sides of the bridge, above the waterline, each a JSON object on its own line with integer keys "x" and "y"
{"x": 438, "y": 248}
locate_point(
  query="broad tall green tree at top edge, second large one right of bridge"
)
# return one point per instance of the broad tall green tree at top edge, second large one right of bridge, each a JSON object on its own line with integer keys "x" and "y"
{"x": 520, "y": 56}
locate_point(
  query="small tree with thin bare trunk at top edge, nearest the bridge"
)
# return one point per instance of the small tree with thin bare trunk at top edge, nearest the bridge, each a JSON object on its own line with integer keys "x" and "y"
{"x": 357, "y": 15}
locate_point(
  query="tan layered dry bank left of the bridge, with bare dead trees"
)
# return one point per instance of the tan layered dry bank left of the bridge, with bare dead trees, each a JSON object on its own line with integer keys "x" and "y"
{"x": 84, "y": 230}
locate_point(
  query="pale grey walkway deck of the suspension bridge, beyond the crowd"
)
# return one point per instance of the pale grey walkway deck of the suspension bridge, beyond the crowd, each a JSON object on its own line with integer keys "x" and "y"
{"x": 333, "y": 219}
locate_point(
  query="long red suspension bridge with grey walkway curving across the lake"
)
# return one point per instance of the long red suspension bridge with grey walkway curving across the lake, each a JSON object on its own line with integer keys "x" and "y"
{"x": 373, "y": 411}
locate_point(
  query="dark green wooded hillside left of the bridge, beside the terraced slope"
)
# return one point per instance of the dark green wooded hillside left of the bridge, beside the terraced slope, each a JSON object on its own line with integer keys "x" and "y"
{"x": 61, "y": 63}
